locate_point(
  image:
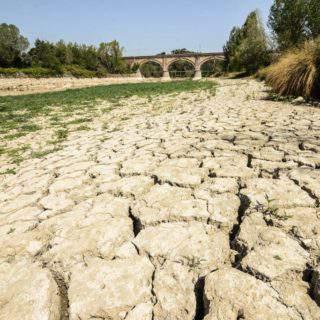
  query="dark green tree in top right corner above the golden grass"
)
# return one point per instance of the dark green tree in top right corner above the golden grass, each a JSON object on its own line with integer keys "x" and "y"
{"x": 288, "y": 20}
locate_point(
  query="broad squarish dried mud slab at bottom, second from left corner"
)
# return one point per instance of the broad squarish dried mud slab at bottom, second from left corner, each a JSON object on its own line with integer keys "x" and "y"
{"x": 109, "y": 289}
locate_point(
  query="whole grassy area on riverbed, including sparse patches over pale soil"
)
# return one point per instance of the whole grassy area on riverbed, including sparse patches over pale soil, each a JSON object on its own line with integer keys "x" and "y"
{"x": 73, "y": 110}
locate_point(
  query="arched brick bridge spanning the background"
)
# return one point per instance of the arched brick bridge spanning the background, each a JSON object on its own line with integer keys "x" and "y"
{"x": 165, "y": 60}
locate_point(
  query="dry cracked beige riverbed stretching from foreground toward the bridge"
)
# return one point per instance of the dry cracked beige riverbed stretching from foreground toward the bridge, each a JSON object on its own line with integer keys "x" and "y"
{"x": 209, "y": 211}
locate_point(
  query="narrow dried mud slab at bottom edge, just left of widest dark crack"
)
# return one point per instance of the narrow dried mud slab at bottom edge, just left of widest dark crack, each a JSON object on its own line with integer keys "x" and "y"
{"x": 174, "y": 289}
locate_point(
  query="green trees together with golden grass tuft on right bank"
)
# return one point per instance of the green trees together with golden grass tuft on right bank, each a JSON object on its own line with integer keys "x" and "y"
{"x": 294, "y": 49}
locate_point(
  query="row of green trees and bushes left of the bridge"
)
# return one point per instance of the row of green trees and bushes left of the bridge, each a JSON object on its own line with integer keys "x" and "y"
{"x": 46, "y": 59}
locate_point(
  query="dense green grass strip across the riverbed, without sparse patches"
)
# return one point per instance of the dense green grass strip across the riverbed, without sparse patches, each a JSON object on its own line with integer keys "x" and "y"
{"x": 17, "y": 110}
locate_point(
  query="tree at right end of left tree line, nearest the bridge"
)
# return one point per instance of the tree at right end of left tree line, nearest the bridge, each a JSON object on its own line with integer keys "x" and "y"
{"x": 110, "y": 55}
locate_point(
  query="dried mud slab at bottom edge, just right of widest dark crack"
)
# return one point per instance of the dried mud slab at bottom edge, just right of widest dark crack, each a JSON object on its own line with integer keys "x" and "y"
{"x": 232, "y": 294}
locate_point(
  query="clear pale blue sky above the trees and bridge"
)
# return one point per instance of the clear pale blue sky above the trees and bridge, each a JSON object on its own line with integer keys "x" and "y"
{"x": 141, "y": 26}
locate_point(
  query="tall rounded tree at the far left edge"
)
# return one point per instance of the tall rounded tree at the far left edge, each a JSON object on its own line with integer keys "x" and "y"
{"x": 12, "y": 45}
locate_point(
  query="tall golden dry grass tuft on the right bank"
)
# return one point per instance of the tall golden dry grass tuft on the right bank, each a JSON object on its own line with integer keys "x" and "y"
{"x": 297, "y": 72}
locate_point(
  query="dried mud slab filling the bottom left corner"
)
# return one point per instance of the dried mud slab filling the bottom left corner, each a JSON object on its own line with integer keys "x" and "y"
{"x": 28, "y": 292}
